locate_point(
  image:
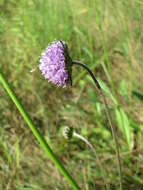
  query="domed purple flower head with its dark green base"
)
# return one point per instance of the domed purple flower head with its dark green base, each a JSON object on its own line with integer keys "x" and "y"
{"x": 55, "y": 64}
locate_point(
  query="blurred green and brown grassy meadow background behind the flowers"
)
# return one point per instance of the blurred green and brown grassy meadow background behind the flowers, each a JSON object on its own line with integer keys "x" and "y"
{"x": 107, "y": 35}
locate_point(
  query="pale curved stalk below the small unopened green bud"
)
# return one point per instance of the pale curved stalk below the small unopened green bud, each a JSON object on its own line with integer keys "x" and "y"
{"x": 94, "y": 151}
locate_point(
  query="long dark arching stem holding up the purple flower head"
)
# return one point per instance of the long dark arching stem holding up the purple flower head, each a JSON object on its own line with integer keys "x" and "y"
{"x": 108, "y": 117}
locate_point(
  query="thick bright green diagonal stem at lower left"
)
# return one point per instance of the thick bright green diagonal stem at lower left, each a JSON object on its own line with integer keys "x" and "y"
{"x": 36, "y": 133}
